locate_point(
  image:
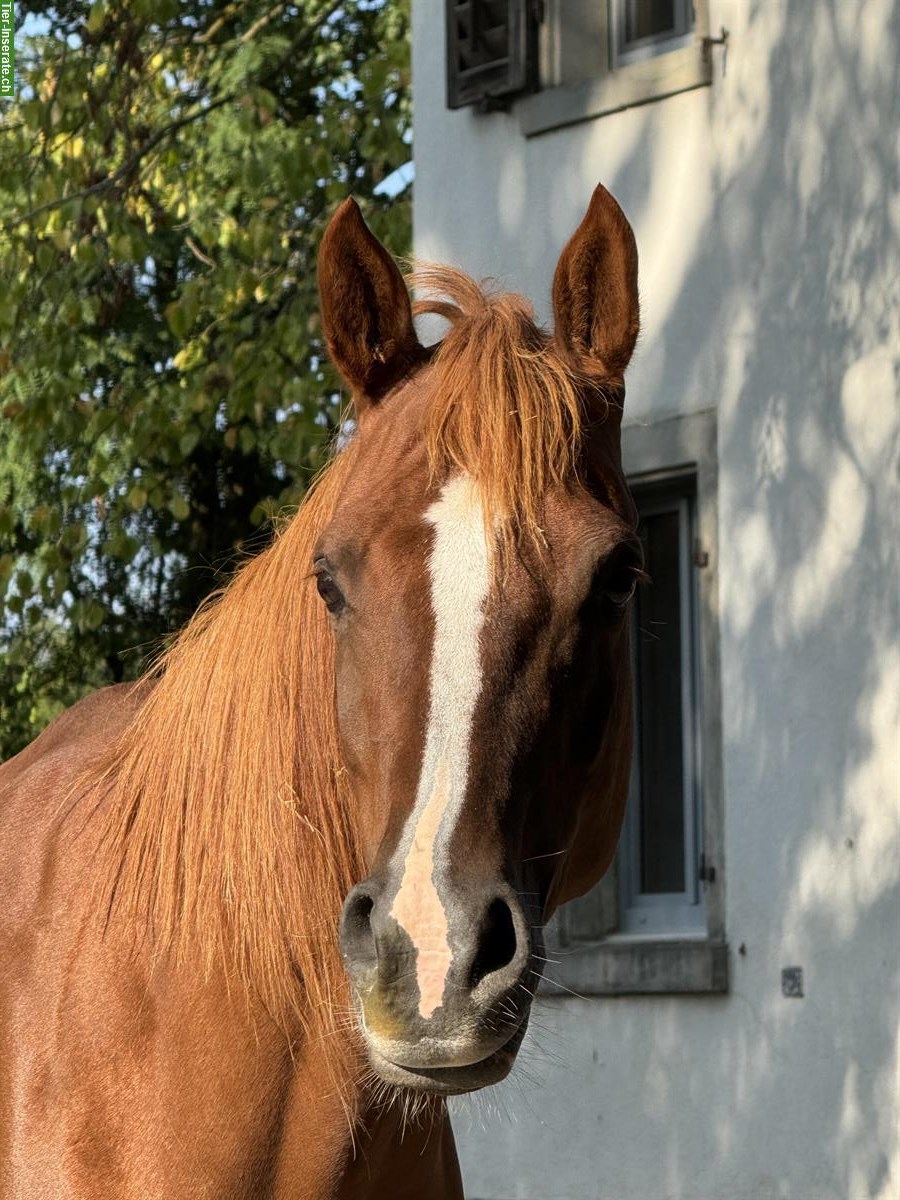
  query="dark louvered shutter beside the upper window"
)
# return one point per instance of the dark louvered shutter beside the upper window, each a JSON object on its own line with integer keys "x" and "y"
{"x": 491, "y": 52}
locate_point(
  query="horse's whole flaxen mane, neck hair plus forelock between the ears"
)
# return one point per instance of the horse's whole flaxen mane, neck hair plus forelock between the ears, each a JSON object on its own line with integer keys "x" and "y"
{"x": 229, "y": 827}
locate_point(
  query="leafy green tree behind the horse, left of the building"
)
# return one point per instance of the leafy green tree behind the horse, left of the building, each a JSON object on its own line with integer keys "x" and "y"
{"x": 167, "y": 172}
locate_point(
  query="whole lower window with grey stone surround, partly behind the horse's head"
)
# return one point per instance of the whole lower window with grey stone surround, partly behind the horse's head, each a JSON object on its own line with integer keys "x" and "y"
{"x": 656, "y": 922}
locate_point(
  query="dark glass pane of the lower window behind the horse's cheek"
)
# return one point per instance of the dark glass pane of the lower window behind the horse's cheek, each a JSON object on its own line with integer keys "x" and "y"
{"x": 659, "y": 687}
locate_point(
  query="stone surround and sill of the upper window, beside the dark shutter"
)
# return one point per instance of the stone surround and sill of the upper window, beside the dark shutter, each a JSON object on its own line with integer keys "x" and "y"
{"x": 583, "y": 77}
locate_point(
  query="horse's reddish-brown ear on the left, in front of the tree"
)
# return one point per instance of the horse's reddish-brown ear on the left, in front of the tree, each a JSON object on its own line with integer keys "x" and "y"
{"x": 367, "y": 313}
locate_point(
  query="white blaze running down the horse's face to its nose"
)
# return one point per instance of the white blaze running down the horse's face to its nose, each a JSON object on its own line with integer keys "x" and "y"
{"x": 460, "y": 580}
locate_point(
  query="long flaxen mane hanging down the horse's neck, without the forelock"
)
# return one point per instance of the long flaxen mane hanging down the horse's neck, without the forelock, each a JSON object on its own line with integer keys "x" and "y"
{"x": 229, "y": 830}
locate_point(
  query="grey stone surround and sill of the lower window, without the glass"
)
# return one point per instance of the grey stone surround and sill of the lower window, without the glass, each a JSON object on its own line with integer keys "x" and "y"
{"x": 590, "y": 952}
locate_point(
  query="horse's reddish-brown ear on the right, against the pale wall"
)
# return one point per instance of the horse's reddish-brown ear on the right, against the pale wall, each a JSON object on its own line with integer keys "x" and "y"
{"x": 596, "y": 307}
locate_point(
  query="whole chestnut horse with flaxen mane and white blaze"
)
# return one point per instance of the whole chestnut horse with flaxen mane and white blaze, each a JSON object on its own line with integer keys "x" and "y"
{"x": 400, "y": 737}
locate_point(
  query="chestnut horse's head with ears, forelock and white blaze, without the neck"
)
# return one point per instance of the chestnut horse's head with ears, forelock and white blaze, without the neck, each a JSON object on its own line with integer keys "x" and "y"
{"x": 478, "y": 569}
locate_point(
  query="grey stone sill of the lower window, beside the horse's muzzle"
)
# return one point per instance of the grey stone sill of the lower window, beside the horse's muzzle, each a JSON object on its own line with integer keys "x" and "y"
{"x": 627, "y": 967}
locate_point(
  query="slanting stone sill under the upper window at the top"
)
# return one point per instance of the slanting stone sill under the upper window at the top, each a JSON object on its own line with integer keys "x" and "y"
{"x": 655, "y": 79}
